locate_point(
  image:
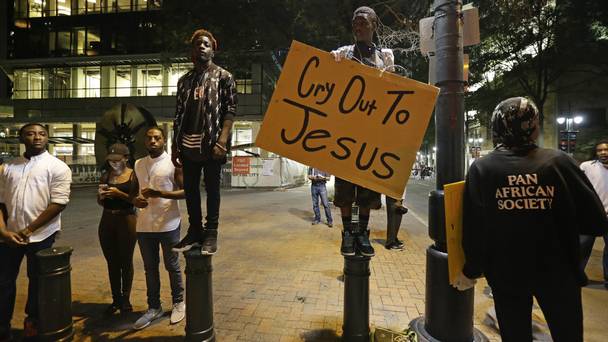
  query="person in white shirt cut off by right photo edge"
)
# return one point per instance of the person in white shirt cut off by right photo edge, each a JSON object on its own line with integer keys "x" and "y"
{"x": 597, "y": 172}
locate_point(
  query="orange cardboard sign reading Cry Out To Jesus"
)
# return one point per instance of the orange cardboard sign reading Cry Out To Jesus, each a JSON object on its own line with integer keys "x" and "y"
{"x": 359, "y": 123}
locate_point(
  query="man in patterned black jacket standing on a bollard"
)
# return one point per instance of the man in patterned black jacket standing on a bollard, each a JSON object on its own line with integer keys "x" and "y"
{"x": 206, "y": 106}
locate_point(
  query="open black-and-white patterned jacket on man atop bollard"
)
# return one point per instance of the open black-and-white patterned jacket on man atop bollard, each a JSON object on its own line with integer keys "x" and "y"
{"x": 219, "y": 104}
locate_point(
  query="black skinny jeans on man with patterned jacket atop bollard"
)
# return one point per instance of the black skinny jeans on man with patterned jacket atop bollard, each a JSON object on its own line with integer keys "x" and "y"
{"x": 192, "y": 178}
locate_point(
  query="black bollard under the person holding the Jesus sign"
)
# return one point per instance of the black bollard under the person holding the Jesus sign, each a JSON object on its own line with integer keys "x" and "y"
{"x": 356, "y": 299}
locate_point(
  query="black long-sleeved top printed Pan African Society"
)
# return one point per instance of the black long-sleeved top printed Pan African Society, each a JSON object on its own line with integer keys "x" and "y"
{"x": 523, "y": 213}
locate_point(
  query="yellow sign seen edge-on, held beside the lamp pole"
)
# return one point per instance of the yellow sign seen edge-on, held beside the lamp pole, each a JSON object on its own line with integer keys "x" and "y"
{"x": 453, "y": 197}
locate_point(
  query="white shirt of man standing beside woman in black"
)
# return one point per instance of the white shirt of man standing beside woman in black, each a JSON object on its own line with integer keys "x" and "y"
{"x": 161, "y": 214}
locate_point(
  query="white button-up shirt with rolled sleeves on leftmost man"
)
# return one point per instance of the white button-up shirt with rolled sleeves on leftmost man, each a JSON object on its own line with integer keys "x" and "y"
{"x": 29, "y": 186}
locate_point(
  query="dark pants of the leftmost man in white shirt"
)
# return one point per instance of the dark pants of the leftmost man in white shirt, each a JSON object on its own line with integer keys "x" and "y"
{"x": 10, "y": 258}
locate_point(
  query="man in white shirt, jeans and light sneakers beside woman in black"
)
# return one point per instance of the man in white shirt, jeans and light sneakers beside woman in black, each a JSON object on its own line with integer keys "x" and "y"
{"x": 159, "y": 185}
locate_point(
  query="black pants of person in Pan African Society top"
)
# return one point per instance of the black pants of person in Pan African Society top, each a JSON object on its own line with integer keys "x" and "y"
{"x": 559, "y": 297}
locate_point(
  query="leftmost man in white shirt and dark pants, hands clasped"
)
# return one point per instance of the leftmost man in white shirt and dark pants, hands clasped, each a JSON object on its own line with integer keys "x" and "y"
{"x": 34, "y": 189}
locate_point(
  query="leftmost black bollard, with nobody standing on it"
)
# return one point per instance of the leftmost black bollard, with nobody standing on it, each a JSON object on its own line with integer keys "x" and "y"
{"x": 55, "y": 294}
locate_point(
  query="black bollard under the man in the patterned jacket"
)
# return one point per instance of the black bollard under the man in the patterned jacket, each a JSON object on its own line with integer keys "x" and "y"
{"x": 199, "y": 297}
